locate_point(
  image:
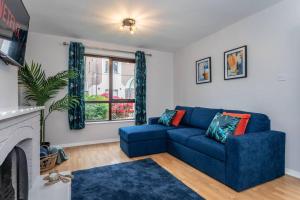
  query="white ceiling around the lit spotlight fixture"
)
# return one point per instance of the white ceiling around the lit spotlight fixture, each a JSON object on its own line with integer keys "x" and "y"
{"x": 162, "y": 24}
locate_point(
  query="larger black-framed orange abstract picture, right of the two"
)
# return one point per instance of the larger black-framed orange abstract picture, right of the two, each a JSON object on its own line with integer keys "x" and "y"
{"x": 241, "y": 69}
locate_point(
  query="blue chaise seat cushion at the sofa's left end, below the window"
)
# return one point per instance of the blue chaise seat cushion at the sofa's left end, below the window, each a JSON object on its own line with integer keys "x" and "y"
{"x": 144, "y": 132}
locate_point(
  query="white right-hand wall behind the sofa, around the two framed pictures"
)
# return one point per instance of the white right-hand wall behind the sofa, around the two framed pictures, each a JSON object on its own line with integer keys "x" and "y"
{"x": 273, "y": 39}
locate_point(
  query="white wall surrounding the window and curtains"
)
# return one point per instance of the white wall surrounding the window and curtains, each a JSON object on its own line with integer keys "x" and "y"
{"x": 49, "y": 51}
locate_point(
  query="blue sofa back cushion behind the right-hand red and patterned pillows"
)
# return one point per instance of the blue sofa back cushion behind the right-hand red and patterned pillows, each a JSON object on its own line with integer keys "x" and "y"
{"x": 257, "y": 123}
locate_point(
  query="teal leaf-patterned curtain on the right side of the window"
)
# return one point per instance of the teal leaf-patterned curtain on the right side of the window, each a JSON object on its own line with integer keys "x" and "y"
{"x": 140, "y": 88}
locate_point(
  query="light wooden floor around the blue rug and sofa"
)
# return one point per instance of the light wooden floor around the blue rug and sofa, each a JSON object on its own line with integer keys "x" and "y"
{"x": 85, "y": 157}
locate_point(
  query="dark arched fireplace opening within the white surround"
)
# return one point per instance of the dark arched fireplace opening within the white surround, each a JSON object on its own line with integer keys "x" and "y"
{"x": 14, "y": 176}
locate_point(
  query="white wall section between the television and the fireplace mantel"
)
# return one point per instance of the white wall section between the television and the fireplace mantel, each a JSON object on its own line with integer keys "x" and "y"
{"x": 8, "y": 85}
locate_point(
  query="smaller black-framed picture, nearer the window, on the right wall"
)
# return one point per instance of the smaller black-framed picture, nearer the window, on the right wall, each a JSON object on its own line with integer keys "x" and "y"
{"x": 208, "y": 77}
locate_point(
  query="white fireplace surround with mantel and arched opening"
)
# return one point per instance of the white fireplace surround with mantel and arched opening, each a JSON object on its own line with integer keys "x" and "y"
{"x": 19, "y": 151}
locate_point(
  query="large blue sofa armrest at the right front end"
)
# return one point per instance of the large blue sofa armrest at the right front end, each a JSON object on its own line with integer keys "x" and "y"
{"x": 254, "y": 158}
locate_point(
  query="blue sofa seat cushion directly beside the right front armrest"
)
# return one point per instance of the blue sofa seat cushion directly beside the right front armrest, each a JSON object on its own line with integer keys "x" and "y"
{"x": 207, "y": 146}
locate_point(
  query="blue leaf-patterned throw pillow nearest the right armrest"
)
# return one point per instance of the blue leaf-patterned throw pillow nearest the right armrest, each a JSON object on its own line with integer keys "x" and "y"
{"x": 222, "y": 126}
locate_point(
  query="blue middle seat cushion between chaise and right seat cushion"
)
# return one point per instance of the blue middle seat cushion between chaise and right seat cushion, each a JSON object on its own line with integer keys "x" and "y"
{"x": 181, "y": 135}
